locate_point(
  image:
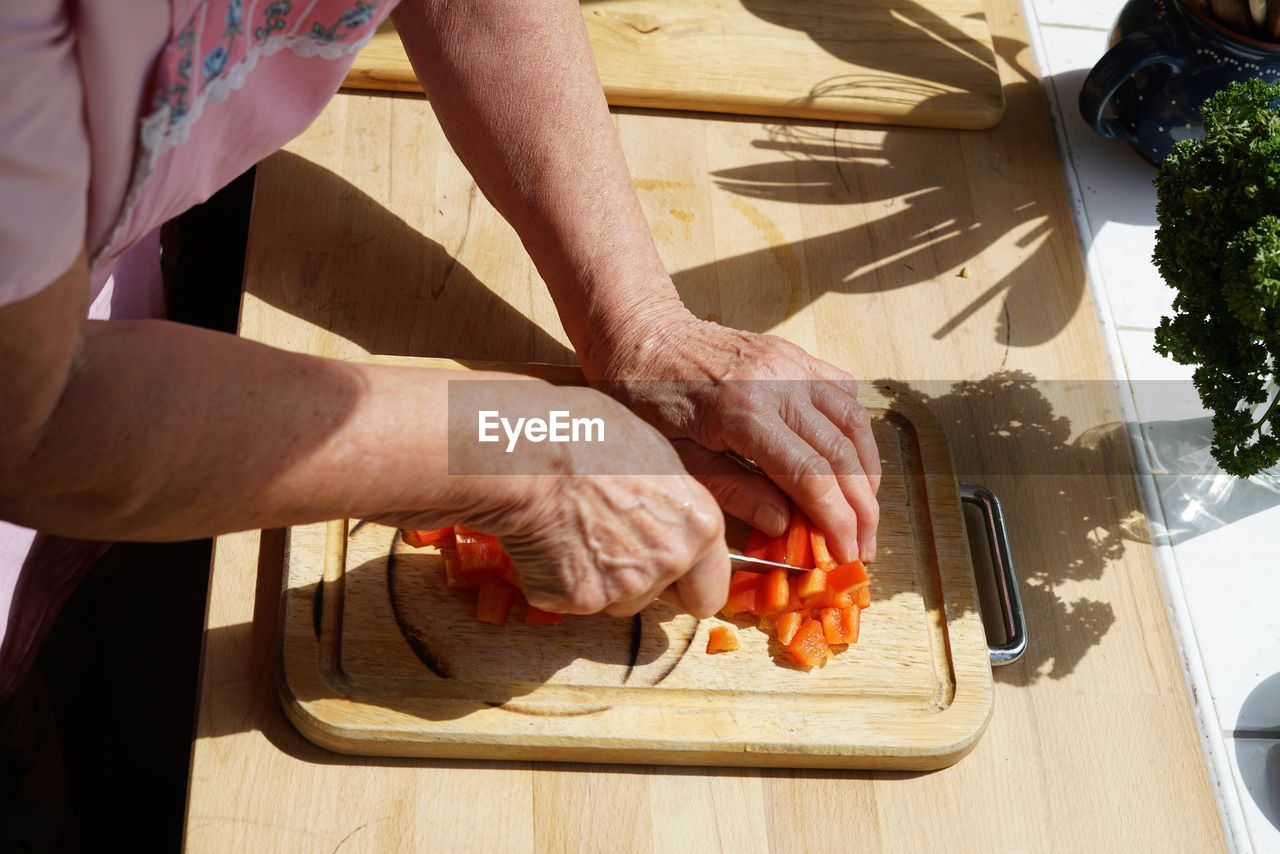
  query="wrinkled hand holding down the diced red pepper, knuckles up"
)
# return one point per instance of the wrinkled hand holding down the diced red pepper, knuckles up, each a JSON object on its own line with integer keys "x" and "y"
{"x": 714, "y": 390}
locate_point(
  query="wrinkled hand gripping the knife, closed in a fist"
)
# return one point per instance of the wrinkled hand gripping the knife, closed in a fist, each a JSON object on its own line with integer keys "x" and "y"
{"x": 583, "y": 540}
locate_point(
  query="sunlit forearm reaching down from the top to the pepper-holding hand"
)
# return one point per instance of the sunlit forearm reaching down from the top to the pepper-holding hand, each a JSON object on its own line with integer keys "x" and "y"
{"x": 515, "y": 88}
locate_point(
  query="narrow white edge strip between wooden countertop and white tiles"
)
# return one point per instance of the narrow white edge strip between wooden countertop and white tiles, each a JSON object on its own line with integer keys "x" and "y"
{"x": 1222, "y": 777}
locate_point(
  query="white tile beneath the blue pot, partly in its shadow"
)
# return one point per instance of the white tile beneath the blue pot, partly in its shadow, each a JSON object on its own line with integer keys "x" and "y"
{"x": 1116, "y": 186}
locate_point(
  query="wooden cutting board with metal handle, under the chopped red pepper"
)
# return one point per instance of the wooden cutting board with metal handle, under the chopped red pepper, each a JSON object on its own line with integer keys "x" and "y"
{"x": 380, "y": 659}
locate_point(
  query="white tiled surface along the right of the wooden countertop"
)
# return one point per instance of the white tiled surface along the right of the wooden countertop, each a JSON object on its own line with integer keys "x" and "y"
{"x": 1214, "y": 535}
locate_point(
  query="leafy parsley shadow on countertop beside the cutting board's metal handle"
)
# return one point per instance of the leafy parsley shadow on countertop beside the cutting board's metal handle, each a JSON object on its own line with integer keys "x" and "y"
{"x": 1009, "y": 433}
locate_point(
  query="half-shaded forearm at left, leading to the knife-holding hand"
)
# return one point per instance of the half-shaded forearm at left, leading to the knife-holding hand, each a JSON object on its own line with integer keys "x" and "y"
{"x": 164, "y": 432}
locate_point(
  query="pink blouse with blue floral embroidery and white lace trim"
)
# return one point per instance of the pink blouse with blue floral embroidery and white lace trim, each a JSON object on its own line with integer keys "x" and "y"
{"x": 115, "y": 118}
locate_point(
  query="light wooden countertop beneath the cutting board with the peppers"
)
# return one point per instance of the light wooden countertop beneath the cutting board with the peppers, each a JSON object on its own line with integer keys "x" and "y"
{"x": 926, "y": 257}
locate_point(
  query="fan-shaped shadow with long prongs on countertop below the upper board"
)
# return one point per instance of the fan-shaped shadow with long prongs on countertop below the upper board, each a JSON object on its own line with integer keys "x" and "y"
{"x": 941, "y": 204}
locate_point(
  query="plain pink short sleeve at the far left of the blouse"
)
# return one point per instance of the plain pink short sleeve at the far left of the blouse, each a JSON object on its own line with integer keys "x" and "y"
{"x": 44, "y": 148}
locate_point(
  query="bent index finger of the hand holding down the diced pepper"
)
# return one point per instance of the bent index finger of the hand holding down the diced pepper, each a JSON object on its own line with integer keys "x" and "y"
{"x": 806, "y": 474}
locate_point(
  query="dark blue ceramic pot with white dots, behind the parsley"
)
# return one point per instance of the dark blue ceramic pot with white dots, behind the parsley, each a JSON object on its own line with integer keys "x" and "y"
{"x": 1168, "y": 57}
